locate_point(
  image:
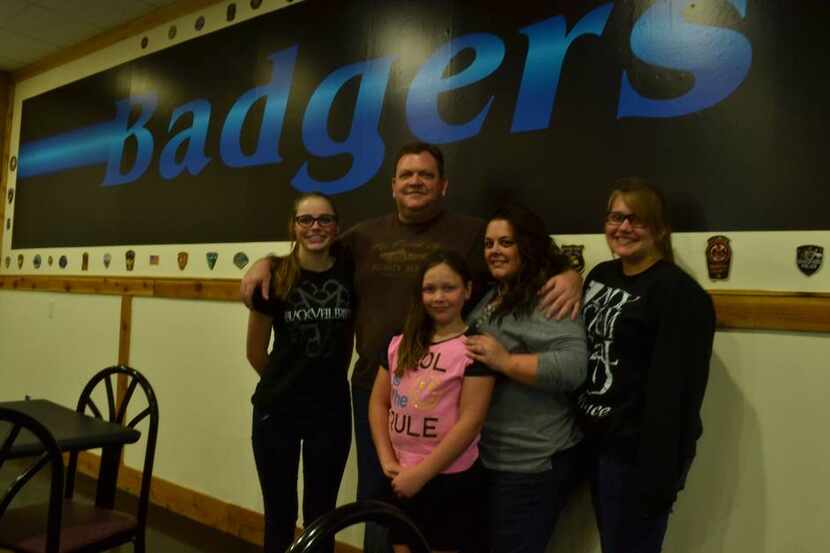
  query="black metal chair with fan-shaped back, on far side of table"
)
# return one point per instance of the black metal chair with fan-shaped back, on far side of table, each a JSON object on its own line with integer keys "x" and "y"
{"x": 84, "y": 527}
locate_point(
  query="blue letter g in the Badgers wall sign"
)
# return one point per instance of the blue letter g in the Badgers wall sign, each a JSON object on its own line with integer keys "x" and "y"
{"x": 364, "y": 143}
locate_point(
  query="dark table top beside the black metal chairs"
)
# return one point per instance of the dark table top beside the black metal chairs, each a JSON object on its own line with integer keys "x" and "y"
{"x": 71, "y": 430}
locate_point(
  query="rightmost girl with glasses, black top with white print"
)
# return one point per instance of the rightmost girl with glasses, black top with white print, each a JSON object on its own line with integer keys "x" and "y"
{"x": 650, "y": 328}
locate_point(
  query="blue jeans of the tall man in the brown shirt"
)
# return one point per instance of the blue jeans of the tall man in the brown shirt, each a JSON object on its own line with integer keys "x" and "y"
{"x": 371, "y": 482}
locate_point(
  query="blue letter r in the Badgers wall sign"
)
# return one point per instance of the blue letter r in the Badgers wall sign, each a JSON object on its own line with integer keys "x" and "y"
{"x": 547, "y": 45}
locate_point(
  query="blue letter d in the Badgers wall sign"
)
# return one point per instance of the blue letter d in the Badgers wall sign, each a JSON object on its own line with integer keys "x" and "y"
{"x": 275, "y": 93}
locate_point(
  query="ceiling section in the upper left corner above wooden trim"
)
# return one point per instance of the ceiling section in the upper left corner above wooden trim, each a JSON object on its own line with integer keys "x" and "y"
{"x": 33, "y": 29}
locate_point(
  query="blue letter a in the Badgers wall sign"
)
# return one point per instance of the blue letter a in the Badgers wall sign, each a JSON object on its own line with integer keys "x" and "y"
{"x": 195, "y": 136}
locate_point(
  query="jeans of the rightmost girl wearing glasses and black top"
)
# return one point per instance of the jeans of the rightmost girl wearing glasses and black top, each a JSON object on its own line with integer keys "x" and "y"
{"x": 622, "y": 526}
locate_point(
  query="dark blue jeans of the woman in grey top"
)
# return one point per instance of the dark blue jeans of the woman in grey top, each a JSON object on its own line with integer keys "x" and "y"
{"x": 523, "y": 507}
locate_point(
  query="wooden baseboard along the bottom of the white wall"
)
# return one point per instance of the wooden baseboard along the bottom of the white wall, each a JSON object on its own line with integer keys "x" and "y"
{"x": 209, "y": 511}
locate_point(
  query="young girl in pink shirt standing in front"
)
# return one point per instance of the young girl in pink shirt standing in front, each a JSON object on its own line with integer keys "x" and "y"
{"x": 427, "y": 407}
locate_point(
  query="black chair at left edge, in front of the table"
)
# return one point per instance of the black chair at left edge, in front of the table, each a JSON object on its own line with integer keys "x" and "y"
{"x": 21, "y": 529}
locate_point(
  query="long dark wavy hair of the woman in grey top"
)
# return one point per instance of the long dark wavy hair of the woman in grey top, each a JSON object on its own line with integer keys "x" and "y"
{"x": 540, "y": 259}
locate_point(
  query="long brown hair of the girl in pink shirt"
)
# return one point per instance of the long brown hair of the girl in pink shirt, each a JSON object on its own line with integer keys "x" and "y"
{"x": 419, "y": 327}
